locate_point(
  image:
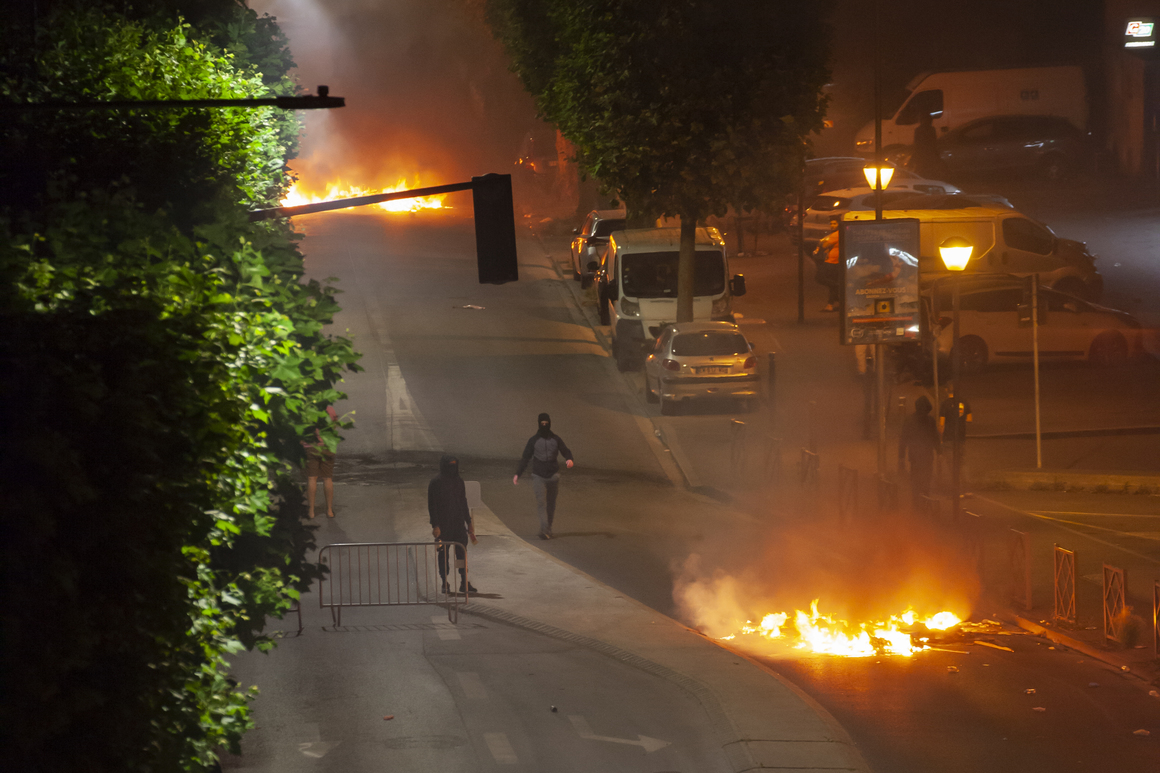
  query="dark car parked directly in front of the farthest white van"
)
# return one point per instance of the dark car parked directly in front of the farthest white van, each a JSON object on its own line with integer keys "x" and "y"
{"x": 1048, "y": 145}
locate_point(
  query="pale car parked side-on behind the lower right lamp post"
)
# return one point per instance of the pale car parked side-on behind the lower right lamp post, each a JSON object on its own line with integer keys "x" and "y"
{"x": 991, "y": 331}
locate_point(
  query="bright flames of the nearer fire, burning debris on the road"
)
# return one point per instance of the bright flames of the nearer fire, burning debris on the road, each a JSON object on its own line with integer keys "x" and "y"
{"x": 824, "y": 635}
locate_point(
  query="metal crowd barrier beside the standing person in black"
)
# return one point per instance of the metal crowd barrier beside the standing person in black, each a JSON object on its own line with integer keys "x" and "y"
{"x": 389, "y": 575}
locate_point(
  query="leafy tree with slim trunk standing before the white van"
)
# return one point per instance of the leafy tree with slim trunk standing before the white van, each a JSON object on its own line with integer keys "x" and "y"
{"x": 684, "y": 109}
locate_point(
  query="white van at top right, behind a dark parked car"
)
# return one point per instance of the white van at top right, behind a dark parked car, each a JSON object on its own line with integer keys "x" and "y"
{"x": 956, "y": 98}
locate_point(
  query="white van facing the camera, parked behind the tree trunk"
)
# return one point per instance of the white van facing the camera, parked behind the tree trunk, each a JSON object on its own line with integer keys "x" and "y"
{"x": 636, "y": 287}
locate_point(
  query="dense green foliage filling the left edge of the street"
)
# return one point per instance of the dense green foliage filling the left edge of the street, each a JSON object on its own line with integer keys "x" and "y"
{"x": 163, "y": 359}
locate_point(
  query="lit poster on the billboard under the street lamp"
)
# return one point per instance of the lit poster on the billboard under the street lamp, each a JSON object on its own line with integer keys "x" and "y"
{"x": 880, "y": 281}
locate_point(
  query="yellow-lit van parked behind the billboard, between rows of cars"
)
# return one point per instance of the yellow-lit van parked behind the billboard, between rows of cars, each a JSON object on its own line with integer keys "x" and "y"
{"x": 1005, "y": 242}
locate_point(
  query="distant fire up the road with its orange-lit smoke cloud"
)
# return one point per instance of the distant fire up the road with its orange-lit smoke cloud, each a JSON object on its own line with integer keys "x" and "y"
{"x": 430, "y": 97}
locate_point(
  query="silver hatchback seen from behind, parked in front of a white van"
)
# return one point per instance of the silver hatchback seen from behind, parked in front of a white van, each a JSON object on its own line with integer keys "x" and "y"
{"x": 701, "y": 360}
